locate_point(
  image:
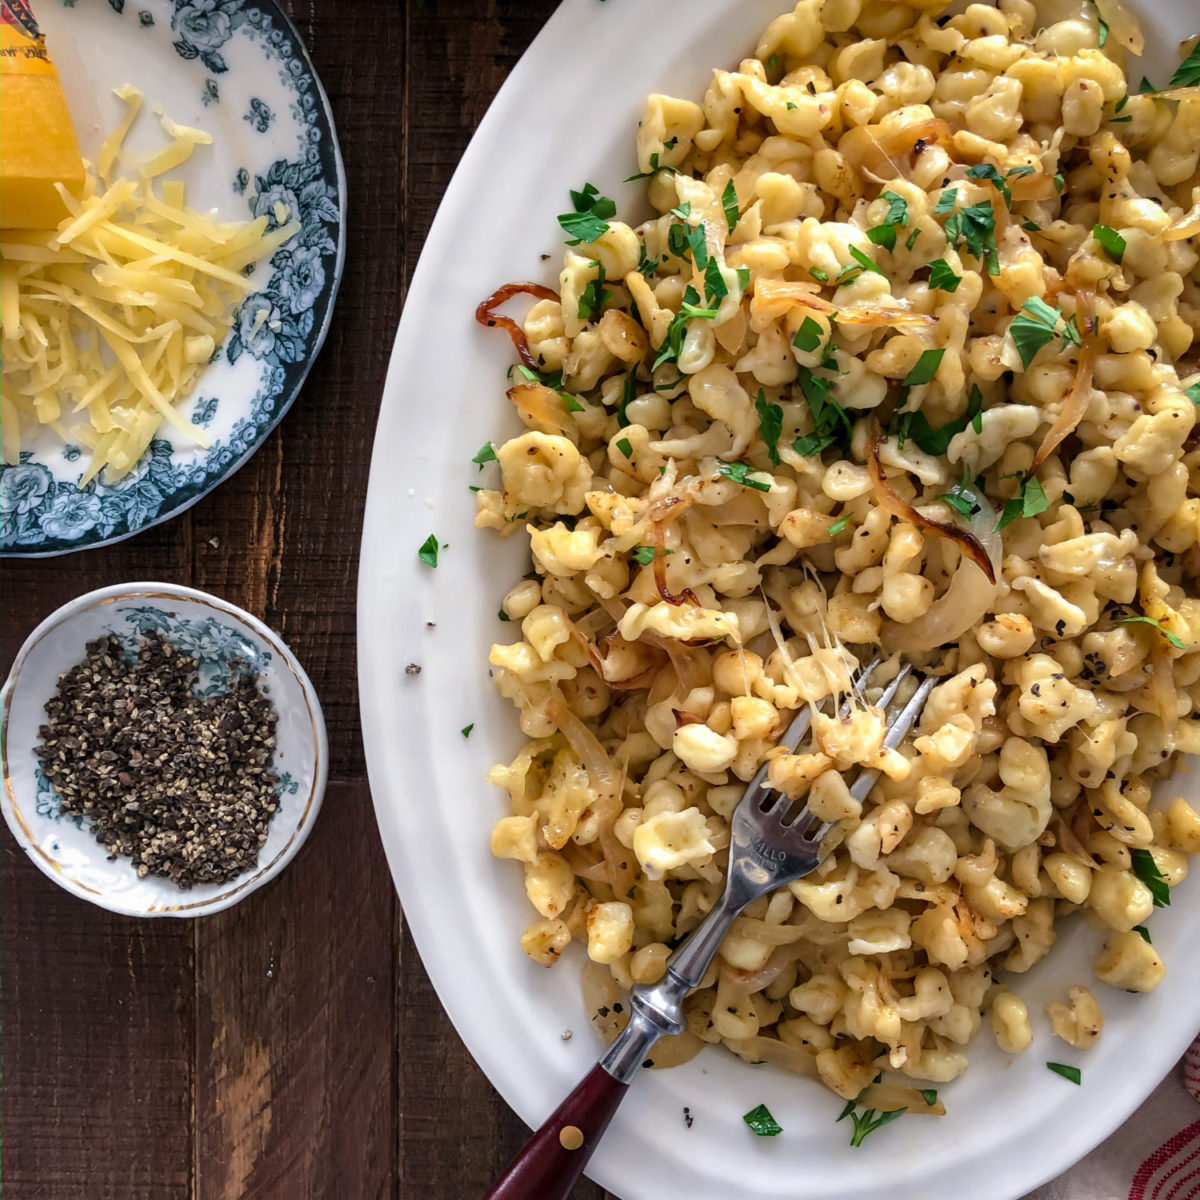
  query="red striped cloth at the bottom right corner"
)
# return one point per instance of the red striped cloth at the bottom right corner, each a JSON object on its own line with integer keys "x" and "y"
{"x": 1154, "y": 1156}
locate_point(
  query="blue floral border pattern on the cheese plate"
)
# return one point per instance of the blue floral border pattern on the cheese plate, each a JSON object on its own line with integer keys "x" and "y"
{"x": 278, "y": 329}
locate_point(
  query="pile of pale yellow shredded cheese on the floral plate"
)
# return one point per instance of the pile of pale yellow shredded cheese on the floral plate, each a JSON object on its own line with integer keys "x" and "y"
{"x": 107, "y": 322}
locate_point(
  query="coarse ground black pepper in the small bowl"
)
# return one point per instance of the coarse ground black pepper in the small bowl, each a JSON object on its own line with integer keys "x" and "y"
{"x": 181, "y": 783}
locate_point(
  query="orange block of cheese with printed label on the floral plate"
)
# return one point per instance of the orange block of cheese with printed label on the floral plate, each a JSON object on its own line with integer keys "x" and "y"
{"x": 38, "y": 141}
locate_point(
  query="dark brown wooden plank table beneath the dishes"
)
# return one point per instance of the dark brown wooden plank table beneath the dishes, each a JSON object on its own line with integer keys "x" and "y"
{"x": 291, "y": 1048}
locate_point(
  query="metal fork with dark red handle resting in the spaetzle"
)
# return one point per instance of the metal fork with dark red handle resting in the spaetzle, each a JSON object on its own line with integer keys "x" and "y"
{"x": 773, "y": 842}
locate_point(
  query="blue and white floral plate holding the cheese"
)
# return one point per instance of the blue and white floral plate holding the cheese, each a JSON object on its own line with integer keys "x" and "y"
{"x": 239, "y": 71}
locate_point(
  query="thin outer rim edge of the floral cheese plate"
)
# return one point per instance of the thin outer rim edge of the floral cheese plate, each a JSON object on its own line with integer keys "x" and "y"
{"x": 284, "y": 409}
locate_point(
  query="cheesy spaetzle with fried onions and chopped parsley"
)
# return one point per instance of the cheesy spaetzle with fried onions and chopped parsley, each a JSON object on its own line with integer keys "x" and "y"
{"x": 903, "y": 365}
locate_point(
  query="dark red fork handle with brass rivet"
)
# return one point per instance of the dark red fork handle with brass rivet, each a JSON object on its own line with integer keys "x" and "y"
{"x": 554, "y": 1159}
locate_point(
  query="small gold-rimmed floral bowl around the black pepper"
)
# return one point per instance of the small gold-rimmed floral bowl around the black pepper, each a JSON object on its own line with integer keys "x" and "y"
{"x": 215, "y": 633}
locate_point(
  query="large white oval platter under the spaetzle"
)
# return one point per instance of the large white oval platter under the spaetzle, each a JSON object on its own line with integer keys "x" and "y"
{"x": 568, "y": 115}
